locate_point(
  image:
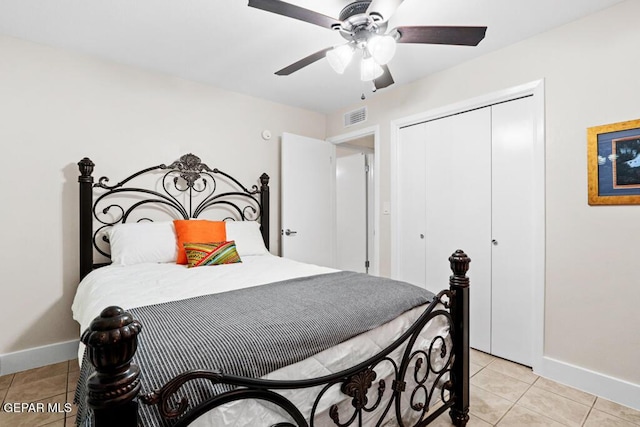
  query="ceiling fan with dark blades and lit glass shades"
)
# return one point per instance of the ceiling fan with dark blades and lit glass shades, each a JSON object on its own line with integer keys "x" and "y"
{"x": 363, "y": 24}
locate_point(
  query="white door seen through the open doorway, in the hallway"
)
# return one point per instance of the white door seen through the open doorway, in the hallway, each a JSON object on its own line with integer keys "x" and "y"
{"x": 351, "y": 213}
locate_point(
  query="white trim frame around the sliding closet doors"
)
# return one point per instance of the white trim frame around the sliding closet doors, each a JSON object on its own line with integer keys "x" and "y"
{"x": 535, "y": 88}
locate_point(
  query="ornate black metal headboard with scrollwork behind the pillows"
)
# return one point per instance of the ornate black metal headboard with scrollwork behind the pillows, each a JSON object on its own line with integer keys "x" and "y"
{"x": 184, "y": 189}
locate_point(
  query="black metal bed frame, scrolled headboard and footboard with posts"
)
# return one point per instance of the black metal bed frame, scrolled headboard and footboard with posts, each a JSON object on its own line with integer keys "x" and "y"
{"x": 111, "y": 340}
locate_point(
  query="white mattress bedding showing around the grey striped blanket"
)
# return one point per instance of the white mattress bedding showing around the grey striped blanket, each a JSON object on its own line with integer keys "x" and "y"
{"x": 145, "y": 284}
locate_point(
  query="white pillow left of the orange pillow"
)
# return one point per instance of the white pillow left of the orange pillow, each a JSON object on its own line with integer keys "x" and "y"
{"x": 139, "y": 242}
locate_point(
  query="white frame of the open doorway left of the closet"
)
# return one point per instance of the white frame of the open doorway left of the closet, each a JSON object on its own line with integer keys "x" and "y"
{"x": 346, "y": 137}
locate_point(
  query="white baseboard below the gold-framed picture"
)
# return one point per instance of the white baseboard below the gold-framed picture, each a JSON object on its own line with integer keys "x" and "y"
{"x": 610, "y": 388}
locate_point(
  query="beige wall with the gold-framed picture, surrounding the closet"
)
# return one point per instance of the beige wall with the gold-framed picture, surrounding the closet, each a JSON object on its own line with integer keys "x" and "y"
{"x": 591, "y": 77}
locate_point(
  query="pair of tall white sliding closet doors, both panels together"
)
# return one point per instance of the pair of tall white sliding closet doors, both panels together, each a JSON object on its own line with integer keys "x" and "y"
{"x": 477, "y": 168}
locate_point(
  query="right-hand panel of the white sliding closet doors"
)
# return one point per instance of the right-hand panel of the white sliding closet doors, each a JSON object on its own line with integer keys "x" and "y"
{"x": 512, "y": 224}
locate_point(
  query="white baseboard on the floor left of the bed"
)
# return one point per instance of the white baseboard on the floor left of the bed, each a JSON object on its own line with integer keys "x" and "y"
{"x": 38, "y": 356}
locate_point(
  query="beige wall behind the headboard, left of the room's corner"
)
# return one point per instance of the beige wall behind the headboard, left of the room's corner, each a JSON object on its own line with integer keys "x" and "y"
{"x": 57, "y": 107}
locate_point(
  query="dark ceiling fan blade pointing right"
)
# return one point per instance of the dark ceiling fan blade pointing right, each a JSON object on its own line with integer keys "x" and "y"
{"x": 462, "y": 36}
